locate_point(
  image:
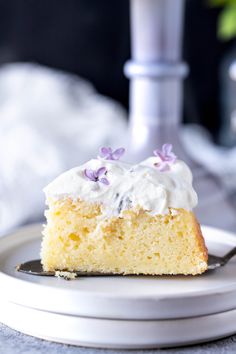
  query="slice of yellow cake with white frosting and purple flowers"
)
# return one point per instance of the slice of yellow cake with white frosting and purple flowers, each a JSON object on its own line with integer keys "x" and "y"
{"x": 109, "y": 216}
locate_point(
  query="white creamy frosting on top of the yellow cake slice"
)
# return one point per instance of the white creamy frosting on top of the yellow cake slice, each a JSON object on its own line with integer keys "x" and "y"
{"x": 130, "y": 186}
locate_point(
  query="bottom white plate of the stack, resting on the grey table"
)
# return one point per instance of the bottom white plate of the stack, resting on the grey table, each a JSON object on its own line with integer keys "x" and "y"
{"x": 126, "y": 334}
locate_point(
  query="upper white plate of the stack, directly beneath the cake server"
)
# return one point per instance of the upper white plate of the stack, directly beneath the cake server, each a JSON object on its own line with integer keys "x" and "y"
{"x": 142, "y": 298}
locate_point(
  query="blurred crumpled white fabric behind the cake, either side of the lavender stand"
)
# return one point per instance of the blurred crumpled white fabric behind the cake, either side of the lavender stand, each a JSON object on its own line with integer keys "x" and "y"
{"x": 51, "y": 121}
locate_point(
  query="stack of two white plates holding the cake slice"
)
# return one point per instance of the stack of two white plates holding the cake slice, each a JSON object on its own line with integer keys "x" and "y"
{"x": 117, "y": 312}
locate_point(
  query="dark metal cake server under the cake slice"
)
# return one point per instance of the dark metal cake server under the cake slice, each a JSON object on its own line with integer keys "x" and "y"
{"x": 35, "y": 267}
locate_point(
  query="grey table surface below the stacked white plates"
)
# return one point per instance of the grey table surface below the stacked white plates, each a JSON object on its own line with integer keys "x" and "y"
{"x": 12, "y": 342}
